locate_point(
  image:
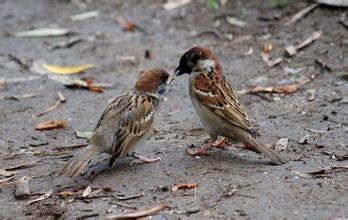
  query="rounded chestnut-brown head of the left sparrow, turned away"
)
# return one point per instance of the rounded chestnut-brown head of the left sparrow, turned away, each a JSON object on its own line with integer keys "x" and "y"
{"x": 152, "y": 80}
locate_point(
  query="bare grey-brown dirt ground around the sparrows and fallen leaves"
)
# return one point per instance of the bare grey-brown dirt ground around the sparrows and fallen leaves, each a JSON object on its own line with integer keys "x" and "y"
{"x": 234, "y": 183}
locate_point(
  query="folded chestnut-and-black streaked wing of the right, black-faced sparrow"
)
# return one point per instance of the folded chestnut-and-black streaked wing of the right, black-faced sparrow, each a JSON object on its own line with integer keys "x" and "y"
{"x": 216, "y": 94}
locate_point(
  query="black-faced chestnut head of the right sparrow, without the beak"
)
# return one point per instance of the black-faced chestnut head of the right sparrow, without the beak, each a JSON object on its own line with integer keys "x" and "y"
{"x": 194, "y": 59}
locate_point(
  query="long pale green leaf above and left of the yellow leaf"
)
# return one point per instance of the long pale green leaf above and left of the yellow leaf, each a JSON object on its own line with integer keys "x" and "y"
{"x": 44, "y": 32}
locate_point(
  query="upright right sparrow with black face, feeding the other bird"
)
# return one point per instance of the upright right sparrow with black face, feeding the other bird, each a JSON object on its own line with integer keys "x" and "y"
{"x": 216, "y": 103}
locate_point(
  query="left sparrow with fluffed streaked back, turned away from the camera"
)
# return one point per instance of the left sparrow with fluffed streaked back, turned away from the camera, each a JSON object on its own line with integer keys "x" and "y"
{"x": 126, "y": 121}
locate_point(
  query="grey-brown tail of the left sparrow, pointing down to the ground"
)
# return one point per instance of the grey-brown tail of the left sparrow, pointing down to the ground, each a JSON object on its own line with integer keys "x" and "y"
{"x": 76, "y": 164}
